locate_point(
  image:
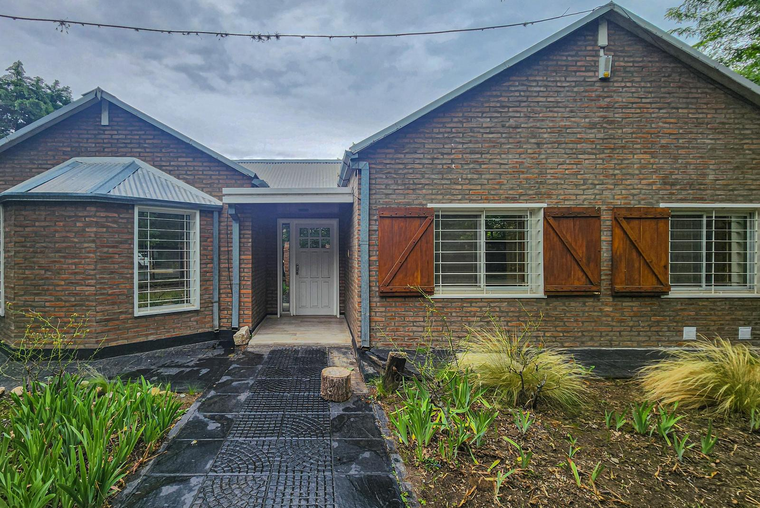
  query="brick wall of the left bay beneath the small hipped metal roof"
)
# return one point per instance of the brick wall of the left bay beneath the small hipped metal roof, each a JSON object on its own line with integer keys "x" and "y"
{"x": 64, "y": 258}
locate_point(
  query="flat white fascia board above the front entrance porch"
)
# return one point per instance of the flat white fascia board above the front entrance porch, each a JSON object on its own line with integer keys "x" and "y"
{"x": 234, "y": 196}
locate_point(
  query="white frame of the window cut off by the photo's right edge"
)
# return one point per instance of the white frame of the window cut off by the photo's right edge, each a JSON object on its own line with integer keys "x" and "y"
{"x": 696, "y": 208}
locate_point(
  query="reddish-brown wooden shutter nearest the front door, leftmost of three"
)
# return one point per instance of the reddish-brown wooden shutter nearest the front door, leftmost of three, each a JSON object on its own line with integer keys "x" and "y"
{"x": 405, "y": 254}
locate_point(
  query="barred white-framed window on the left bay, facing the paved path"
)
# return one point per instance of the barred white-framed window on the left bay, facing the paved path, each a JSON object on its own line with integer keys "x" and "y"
{"x": 167, "y": 276}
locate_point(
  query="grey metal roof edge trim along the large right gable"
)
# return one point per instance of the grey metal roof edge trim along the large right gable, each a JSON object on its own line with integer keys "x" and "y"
{"x": 623, "y": 17}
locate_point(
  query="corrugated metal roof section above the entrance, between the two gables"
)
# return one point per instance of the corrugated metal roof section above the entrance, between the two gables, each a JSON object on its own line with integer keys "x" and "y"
{"x": 295, "y": 173}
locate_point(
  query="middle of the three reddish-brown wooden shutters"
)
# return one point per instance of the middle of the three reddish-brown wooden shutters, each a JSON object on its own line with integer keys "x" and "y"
{"x": 572, "y": 251}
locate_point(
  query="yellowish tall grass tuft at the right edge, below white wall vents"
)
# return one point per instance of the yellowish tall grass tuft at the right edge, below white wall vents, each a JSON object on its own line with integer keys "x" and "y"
{"x": 717, "y": 374}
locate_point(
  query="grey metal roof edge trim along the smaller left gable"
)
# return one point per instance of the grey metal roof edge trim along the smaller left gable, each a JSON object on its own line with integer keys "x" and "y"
{"x": 97, "y": 95}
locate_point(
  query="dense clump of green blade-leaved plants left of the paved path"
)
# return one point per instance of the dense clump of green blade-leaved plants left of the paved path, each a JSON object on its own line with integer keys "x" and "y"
{"x": 69, "y": 442}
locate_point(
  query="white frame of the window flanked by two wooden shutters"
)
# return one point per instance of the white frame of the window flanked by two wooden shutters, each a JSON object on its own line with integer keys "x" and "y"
{"x": 535, "y": 288}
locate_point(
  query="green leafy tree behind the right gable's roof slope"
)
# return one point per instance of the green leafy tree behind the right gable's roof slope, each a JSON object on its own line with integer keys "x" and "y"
{"x": 728, "y": 30}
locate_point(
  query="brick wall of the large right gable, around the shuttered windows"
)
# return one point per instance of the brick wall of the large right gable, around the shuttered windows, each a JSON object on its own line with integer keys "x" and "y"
{"x": 550, "y": 131}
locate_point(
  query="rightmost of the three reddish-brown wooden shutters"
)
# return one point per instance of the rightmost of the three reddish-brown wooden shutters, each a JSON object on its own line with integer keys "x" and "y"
{"x": 640, "y": 244}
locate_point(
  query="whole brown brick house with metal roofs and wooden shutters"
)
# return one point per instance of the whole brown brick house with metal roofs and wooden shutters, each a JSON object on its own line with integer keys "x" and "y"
{"x": 607, "y": 178}
